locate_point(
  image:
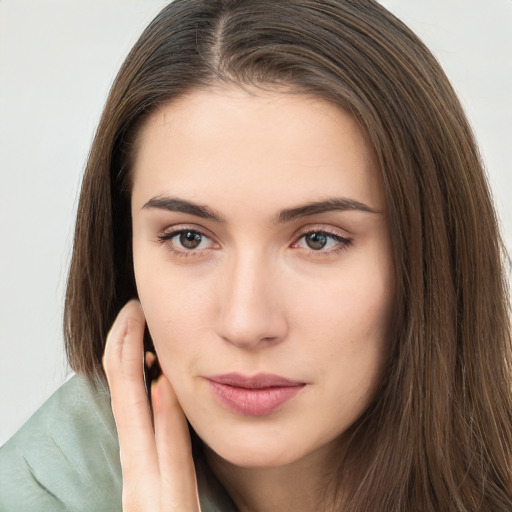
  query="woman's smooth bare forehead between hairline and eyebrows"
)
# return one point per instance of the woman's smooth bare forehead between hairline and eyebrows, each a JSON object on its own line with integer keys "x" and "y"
{"x": 227, "y": 142}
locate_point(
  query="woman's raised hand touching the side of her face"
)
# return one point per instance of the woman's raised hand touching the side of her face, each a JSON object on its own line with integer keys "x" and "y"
{"x": 158, "y": 470}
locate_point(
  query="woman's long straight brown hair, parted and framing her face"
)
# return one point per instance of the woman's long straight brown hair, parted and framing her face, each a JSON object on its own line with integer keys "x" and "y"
{"x": 438, "y": 436}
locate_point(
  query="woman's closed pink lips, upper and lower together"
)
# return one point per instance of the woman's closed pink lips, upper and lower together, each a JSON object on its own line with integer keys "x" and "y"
{"x": 257, "y": 395}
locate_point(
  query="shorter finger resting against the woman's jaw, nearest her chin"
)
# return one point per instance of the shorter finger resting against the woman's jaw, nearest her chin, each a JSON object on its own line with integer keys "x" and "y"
{"x": 177, "y": 473}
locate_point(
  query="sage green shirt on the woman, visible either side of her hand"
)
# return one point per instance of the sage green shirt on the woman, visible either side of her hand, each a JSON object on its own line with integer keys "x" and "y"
{"x": 66, "y": 458}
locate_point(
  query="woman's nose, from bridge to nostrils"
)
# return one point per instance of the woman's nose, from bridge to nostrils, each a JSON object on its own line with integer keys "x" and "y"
{"x": 251, "y": 306}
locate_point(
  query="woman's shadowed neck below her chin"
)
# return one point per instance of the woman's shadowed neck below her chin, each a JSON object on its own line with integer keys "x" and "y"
{"x": 305, "y": 485}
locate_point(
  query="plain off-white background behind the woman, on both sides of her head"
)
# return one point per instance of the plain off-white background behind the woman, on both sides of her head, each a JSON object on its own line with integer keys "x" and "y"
{"x": 57, "y": 61}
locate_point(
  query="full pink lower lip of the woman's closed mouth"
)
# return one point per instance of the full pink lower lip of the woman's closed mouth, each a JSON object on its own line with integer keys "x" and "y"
{"x": 254, "y": 401}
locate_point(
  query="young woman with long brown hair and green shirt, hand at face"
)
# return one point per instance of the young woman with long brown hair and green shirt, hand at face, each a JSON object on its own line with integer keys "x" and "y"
{"x": 288, "y": 197}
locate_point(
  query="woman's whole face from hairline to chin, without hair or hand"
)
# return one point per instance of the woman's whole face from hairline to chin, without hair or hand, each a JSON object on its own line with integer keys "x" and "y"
{"x": 263, "y": 265}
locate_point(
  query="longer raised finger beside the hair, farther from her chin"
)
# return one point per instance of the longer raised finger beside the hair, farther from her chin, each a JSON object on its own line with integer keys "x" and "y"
{"x": 124, "y": 369}
